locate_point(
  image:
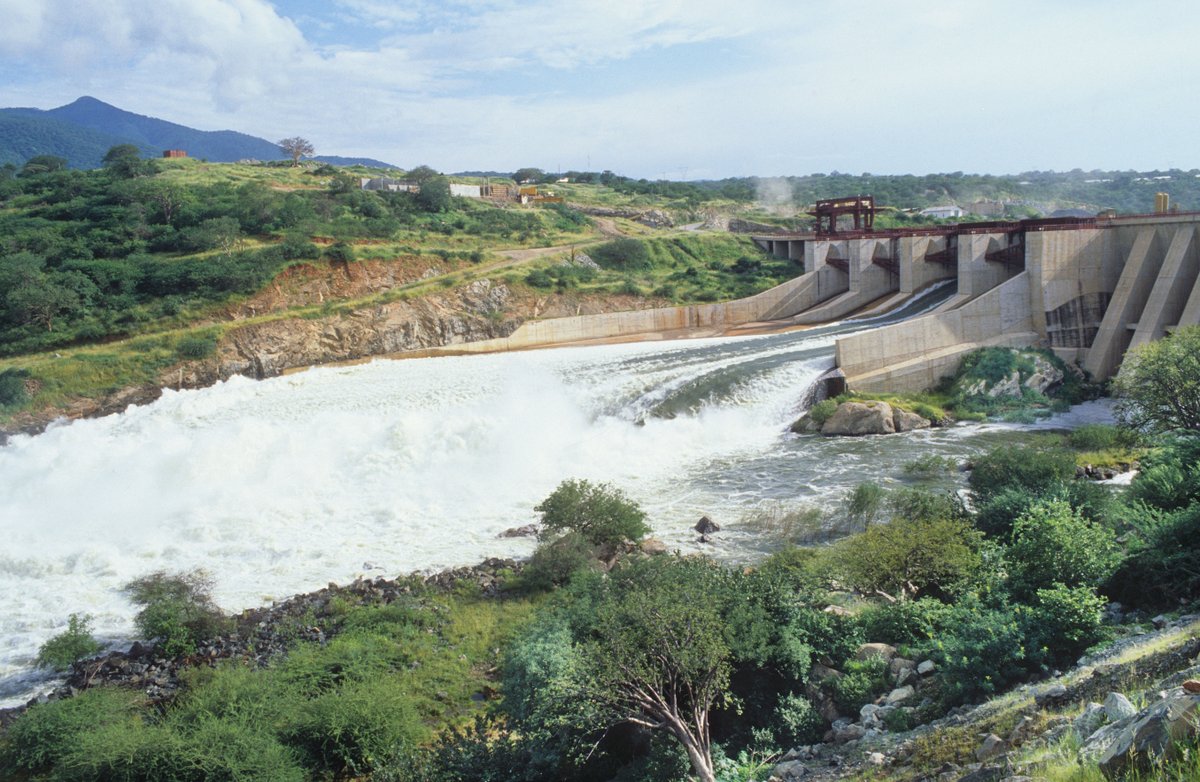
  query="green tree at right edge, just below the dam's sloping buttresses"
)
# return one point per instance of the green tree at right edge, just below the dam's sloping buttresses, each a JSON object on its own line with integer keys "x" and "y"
{"x": 1160, "y": 383}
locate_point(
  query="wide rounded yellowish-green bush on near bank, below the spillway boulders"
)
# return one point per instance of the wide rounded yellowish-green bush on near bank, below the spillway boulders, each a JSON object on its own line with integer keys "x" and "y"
{"x": 909, "y": 557}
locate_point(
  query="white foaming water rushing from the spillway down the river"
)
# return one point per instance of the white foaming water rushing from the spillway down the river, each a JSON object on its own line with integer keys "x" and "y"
{"x": 280, "y": 486}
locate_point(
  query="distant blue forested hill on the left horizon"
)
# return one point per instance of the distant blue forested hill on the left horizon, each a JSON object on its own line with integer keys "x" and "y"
{"x": 85, "y": 130}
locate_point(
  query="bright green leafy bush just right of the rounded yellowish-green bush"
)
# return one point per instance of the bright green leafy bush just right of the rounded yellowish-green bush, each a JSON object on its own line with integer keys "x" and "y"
{"x": 1053, "y": 544}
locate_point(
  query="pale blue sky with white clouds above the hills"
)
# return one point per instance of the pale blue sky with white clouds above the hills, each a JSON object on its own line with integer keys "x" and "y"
{"x": 682, "y": 89}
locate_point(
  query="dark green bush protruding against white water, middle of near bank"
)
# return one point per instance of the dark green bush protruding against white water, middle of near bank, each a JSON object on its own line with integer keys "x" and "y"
{"x": 601, "y": 513}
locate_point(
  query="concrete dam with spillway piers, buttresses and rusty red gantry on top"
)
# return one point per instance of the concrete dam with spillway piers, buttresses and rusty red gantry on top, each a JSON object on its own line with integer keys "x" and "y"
{"x": 1088, "y": 288}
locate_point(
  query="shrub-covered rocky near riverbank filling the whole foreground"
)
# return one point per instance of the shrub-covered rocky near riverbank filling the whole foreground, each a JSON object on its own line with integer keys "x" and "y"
{"x": 1042, "y": 627}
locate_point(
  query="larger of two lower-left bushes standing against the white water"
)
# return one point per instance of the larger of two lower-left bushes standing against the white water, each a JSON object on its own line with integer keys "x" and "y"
{"x": 176, "y": 610}
